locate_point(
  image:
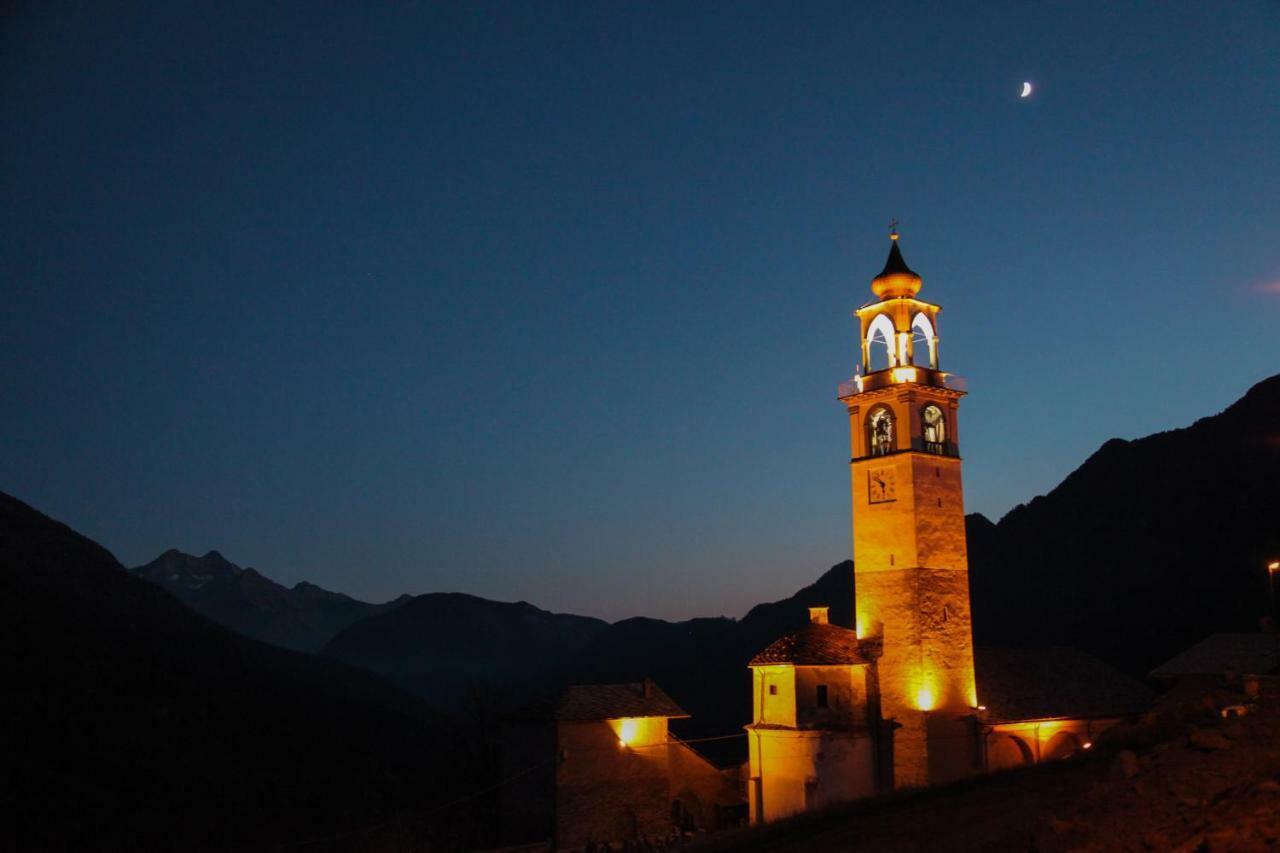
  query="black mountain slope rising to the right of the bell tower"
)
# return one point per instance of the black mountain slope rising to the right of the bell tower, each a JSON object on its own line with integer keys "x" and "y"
{"x": 1145, "y": 549}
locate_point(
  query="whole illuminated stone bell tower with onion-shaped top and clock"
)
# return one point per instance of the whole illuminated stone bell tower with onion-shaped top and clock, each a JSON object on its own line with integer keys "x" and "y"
{"x": 911, "y": 563}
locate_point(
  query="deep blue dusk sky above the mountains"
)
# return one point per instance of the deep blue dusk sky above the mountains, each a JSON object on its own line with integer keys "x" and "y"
{"x": 550, "y": 302}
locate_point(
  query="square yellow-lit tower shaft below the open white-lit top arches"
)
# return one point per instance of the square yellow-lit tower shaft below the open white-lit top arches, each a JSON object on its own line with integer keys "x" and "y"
{"x": 912, "y": 585}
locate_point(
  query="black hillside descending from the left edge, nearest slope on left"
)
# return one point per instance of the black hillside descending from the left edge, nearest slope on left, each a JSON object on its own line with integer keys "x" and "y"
{"x": 136, "y": 724}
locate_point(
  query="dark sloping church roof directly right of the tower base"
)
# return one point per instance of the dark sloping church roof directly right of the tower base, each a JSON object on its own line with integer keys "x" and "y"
{"x": 1018, "y": 685}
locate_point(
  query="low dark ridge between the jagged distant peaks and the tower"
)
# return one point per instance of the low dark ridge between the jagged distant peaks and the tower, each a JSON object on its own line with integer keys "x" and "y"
{"x": 452, "y": 649}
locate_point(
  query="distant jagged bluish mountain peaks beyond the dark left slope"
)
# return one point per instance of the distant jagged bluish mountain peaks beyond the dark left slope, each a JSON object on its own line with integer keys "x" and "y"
{"x": 304, "y": 618}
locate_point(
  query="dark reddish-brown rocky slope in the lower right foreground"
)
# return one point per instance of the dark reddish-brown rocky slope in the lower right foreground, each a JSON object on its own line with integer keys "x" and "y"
{"x": 1183, "y": 779}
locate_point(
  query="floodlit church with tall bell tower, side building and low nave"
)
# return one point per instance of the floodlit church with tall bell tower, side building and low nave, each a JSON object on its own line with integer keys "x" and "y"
{"x": 893, "y": 703}
